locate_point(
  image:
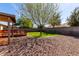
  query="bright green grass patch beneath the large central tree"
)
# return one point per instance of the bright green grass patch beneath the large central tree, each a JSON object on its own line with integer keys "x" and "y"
{"x": 37, "y": 34}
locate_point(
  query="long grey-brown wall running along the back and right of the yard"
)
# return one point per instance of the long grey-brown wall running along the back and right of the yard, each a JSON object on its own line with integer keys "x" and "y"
{"x": 70, "y": 31}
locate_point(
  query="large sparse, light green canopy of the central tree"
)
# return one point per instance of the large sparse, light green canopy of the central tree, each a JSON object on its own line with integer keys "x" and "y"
{"x": 39, "y": 13}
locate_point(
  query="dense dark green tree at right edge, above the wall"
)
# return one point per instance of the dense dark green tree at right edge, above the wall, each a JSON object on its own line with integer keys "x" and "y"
{"x": 73, "y": 20}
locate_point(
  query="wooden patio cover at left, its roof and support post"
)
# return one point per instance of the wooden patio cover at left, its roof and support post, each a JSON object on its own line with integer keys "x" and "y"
{"x": 9, "y": 19}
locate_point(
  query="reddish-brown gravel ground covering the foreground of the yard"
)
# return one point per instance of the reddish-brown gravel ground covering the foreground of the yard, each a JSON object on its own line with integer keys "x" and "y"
{"x": 52, "y": 46}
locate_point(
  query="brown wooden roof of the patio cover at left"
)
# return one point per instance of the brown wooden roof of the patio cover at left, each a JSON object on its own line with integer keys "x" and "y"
{"x": 5, "y": 16}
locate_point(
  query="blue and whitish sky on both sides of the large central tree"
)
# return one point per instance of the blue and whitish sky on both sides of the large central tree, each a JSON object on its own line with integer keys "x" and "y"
{"x": 64, "y": 8}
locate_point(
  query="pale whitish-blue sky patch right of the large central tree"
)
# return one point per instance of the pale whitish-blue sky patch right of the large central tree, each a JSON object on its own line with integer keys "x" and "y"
{"x": 66, "y": 9}
